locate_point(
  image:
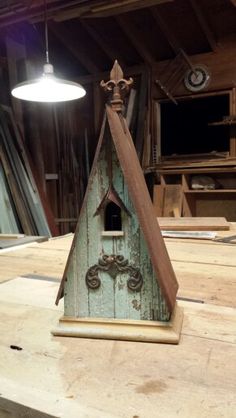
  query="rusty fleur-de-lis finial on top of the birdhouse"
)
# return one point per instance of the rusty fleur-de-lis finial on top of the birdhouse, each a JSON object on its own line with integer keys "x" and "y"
{"x": 117, "y": 85}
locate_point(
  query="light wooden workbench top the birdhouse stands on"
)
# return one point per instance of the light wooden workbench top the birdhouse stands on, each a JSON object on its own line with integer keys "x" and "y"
{"x": 66, "y": 377}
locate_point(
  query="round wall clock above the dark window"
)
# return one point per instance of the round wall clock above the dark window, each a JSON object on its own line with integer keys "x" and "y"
{"x": 197, "y": 79}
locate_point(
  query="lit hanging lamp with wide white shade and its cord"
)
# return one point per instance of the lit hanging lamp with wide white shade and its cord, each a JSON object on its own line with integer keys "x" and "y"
{"x": 48, "y": 88}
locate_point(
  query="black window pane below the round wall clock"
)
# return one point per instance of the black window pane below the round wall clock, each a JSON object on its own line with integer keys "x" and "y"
{"x": 186, "y": 128}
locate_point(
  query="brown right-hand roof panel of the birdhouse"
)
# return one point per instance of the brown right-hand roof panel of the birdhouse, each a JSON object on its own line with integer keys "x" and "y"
{"x": 141, "y": 200}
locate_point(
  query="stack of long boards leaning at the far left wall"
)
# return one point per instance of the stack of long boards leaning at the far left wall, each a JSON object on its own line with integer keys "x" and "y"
{"x": 21, "y": 206}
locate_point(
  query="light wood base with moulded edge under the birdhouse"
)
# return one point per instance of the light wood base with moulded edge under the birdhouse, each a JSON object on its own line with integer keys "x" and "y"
{"x": 121, "y": 329}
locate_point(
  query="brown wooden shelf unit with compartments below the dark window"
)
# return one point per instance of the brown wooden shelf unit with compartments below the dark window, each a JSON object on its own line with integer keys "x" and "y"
{"x": 175, "y": 193}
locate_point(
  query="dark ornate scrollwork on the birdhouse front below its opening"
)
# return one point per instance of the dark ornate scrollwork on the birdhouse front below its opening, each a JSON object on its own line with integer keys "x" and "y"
{"x": 114, "y": 264}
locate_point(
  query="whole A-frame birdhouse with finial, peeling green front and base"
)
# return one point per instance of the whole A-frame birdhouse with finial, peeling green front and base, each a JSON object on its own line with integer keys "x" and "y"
{"x": 118, "y": 282}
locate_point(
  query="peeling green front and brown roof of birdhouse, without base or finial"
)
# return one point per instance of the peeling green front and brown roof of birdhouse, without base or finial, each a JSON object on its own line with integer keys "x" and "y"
{"x": 142, "y": 244}
